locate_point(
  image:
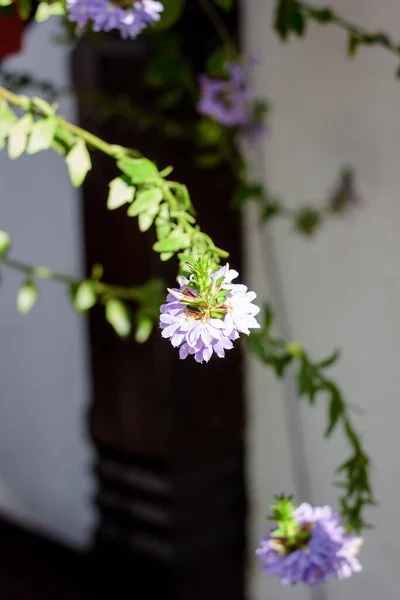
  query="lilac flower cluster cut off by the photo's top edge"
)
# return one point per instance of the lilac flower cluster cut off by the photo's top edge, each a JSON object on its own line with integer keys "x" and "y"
{"x": 130, "y": 18}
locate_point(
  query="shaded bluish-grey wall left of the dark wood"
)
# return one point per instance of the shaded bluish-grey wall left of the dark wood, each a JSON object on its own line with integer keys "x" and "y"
{"x": 45, "y": 455}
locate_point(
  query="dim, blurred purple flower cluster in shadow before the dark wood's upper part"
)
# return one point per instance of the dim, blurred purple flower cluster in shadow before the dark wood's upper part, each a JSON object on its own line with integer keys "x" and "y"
{"x": 229, "y": 101}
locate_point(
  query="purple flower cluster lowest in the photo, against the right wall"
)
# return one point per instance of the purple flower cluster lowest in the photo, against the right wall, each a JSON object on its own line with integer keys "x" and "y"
{"x": 325, "y": 549}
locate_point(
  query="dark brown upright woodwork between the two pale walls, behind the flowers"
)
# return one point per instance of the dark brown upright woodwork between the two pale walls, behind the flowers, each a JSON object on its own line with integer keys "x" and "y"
{"x": 168, "y": 433}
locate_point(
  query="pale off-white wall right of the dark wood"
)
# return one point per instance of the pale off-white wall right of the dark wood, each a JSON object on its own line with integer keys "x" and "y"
{"x": 341, "y": 289}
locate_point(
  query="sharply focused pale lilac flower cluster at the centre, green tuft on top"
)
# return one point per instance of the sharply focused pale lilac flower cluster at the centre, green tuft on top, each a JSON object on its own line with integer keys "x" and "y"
{"x": 207, "y": 313}
